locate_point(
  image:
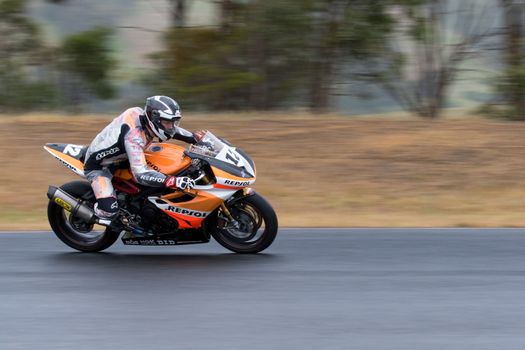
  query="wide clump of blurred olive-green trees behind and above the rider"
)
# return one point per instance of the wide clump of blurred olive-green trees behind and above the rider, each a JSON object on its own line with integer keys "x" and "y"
{"x": 268, "y": 54}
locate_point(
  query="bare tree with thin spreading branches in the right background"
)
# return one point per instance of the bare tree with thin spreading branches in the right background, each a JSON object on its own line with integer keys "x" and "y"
{"x": 424, "y": 56}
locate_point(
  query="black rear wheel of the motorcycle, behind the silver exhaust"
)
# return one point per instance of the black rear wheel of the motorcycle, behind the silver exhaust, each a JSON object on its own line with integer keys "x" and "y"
{"x": 74, "y": 231}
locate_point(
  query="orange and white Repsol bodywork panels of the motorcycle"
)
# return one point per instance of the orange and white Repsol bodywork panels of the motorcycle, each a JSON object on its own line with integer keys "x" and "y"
{"x": 231, "y": 172}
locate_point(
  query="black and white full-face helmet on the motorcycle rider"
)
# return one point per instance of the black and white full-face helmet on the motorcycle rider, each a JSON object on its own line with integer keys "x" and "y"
{"x": 163, "y": 116}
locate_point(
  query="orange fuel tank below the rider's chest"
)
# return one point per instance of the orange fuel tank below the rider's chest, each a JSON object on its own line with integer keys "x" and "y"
{"x": 166, "y": 158}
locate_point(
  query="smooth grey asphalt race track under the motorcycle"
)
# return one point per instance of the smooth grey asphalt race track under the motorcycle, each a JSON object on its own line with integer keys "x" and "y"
{"x": 313, "y": 289}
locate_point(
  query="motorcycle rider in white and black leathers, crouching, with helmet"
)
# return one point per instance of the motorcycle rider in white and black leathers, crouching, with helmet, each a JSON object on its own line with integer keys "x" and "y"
{"x": 125, "y": 138}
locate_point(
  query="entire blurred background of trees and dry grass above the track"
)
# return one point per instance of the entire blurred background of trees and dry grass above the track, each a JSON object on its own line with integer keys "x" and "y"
{"x": 357, "y": 112}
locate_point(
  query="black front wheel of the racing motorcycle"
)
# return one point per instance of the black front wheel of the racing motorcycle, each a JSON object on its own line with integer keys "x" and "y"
{"x": 255, "y": 228}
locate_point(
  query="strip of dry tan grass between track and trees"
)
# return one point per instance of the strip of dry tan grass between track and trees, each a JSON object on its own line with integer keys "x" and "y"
{"x": 323, "y": 171}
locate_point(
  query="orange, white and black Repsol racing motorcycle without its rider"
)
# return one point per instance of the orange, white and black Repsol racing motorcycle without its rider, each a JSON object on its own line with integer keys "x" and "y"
{"x": 222, "y": 205}
